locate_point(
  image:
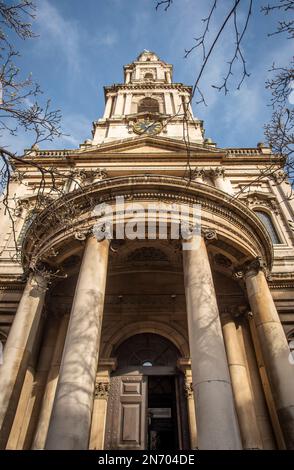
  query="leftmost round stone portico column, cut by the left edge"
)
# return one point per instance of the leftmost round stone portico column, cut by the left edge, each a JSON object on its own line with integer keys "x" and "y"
{"x": 18, "y": 350}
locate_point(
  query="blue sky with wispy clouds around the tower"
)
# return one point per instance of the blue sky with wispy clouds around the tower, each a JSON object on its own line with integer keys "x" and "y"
{"x": 83, "y": 45}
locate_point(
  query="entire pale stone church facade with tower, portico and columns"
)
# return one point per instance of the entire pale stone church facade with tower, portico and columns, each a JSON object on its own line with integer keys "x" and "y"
{"x": 137, "y": 343}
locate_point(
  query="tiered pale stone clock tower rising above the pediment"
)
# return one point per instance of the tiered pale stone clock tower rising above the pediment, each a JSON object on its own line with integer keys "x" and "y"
{"x": 147, "y": 103}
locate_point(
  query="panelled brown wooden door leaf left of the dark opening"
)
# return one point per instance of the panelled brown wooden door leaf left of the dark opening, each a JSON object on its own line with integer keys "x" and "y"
{"x": 127, "y": 409}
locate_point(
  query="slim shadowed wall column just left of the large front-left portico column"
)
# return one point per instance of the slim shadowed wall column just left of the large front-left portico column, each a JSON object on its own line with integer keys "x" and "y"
{"x": 50, "y": 389}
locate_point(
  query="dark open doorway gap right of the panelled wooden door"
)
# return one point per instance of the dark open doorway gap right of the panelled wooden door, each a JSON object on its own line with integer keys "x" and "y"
{"x": 162, "y": 413}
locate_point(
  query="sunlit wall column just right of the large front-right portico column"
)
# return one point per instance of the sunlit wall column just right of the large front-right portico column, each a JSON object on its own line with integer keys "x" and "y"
{"x": 244, "y": 400}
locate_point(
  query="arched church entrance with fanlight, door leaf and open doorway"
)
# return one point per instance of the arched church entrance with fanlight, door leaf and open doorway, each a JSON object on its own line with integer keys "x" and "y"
{"x": 146, "y": 407}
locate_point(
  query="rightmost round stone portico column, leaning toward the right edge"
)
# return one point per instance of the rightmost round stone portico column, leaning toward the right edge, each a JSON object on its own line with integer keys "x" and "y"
{"x": 274, "y": 348}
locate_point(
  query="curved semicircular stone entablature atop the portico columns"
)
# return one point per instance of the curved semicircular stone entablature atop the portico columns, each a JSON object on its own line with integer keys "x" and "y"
{"x": 55, "y": 233}
